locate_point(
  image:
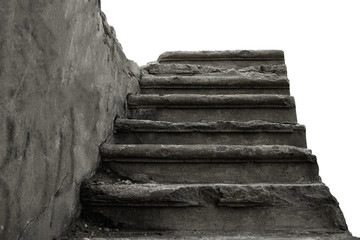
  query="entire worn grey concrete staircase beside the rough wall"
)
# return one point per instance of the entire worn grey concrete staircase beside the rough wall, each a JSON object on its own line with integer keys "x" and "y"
{"x": 211, "y": 149}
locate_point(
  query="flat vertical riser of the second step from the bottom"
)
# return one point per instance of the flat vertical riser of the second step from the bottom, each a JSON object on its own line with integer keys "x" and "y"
{"x": 205, "y": 172}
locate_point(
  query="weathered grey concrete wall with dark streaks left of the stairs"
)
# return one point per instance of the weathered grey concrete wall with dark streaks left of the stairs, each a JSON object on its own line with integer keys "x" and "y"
{"x": 63, "y": 78}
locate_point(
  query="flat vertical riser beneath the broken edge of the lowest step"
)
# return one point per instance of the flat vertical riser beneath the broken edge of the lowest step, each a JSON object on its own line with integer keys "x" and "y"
{"x": 215, "y": 218}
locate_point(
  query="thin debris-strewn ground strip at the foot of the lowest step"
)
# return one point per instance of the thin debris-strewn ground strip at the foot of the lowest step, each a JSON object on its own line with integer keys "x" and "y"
{"x": 81, "y": 229}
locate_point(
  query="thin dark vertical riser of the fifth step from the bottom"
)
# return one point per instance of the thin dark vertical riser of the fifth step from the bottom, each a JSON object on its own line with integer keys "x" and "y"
{"x": 214, "y": 91}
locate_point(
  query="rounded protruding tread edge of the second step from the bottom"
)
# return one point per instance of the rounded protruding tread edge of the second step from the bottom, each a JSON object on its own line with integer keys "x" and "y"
{"x": 261, "y": 153}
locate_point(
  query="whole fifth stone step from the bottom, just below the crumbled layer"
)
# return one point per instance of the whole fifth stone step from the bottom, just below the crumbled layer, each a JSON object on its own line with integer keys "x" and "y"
{"x": 248, "y": 83}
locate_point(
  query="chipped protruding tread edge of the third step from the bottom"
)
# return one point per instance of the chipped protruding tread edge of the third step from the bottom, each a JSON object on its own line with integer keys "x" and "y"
{"x": 138, "y": 125}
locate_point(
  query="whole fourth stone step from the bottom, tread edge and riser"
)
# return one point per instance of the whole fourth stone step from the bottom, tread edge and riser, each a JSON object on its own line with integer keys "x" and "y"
{"x": 196, "y": 107}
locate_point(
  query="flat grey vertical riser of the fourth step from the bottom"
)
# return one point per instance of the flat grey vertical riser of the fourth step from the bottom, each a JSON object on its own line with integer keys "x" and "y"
{"x": 214, "y": 114}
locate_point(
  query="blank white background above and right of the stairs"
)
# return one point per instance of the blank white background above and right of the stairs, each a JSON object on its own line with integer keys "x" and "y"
{"x": 321, "y": 40}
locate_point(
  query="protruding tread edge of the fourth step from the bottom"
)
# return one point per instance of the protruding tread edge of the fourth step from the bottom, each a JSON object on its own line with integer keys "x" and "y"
{"x": 200, "y": 100}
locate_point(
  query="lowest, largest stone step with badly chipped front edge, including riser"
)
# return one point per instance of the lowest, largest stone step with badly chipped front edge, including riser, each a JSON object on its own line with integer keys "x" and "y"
{"x": 213, "y": 207}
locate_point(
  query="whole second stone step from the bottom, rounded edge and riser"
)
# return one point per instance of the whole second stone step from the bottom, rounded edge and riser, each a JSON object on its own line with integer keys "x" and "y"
{"x": 210, "y": 163}
